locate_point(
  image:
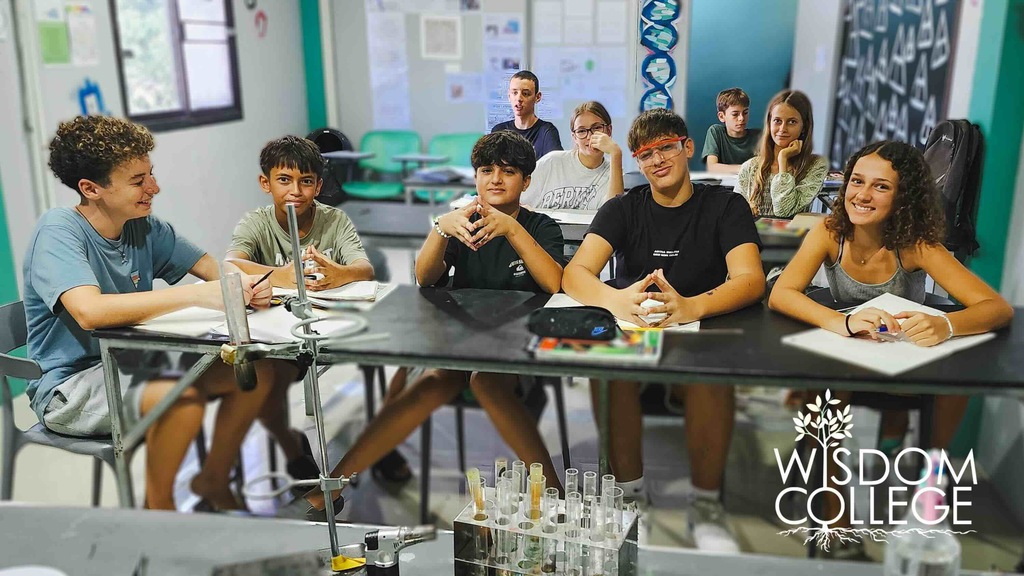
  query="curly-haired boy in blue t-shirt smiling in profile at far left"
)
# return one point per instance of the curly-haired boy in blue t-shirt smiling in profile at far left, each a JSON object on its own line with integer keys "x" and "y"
{"x": 93, "y": 267}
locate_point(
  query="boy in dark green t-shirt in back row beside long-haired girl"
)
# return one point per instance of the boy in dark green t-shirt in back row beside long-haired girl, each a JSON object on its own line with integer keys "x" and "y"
{"x": 731, "y": 144}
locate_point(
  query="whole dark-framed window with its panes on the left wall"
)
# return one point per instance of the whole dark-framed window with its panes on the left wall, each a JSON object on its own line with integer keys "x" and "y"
{"x": 179, "y": 62}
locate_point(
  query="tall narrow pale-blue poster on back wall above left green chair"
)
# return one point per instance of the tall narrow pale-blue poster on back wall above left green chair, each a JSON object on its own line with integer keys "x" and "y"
{"x": 389, "y": 70}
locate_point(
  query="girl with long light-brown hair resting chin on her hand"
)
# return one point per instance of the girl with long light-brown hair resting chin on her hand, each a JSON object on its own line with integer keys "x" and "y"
{"x": 784, "y": 178}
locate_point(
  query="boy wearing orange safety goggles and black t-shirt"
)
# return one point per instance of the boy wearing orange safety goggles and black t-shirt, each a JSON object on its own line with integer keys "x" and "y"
{"x": 693, "y": 249}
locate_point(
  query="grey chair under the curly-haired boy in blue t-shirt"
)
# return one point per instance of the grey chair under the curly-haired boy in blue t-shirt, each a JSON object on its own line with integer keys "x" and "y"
{"x": 14, "y": 335}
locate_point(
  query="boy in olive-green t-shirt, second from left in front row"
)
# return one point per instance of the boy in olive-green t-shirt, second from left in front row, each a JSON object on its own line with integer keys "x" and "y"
{"x": 292, "y": 170}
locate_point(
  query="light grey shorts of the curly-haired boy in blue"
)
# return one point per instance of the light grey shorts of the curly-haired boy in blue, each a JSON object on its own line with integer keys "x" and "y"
{"x": 79, "y": 404}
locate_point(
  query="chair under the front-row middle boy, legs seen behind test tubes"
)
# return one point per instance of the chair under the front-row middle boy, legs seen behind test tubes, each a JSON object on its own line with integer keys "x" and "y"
{"x": 536, "y": 399}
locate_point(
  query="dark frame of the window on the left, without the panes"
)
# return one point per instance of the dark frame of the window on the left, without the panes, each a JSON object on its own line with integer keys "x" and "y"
{"x": 187, "y": 117}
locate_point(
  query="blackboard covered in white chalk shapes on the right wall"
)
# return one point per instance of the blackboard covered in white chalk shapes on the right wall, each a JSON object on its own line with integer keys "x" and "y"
{"x": 894, "y": 74}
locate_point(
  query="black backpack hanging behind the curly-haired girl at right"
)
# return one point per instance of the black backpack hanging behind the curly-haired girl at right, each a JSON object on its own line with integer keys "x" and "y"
{"x": 954, "y": 153}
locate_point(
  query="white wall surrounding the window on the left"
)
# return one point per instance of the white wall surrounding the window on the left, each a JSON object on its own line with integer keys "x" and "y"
{"x": 208, "y": 175}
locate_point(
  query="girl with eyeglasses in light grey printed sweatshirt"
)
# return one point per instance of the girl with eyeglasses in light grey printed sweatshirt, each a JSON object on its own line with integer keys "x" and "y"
{"x": 586, "y": 177}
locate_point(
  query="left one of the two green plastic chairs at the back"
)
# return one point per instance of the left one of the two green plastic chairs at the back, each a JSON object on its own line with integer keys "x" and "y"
{"x": 386, "y": 144}
